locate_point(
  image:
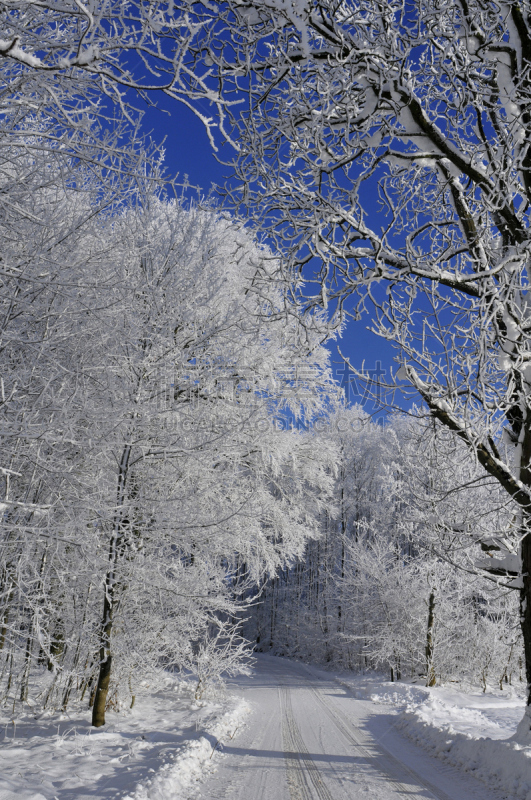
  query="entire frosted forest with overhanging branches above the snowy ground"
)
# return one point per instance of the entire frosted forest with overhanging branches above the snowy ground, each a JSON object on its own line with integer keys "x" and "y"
{"x": 183, "y": 479}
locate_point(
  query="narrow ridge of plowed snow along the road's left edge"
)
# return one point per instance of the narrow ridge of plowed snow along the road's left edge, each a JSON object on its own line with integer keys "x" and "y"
{"x": 193, "y": 759}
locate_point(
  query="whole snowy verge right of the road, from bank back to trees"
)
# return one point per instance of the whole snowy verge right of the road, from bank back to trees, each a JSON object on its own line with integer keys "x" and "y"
{"x": 470, "y": 729}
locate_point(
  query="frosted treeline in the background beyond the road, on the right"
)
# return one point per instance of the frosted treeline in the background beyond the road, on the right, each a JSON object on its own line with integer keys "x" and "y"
{"x": 410, "y": 574}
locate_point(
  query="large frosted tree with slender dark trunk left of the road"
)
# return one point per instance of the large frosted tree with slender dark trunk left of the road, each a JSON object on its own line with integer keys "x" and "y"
{"x": 194, "y": 379}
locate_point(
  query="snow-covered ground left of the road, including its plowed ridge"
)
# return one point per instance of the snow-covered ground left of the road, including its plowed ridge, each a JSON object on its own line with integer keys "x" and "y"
{"x": 156, "y": 750}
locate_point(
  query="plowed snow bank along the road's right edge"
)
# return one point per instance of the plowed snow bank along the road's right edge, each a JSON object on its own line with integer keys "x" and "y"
{"x": 501, "y": 763}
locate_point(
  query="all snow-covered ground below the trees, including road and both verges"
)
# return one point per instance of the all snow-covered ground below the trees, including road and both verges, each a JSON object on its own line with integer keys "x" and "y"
{"x": 308, "y": 725}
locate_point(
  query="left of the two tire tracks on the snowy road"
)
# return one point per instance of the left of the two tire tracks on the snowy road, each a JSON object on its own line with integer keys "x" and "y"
{"x": 302, "y": 772}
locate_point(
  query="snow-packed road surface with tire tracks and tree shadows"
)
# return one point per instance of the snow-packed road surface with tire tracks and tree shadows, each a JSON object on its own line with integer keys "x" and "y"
{"x": 310, "y": 739}
